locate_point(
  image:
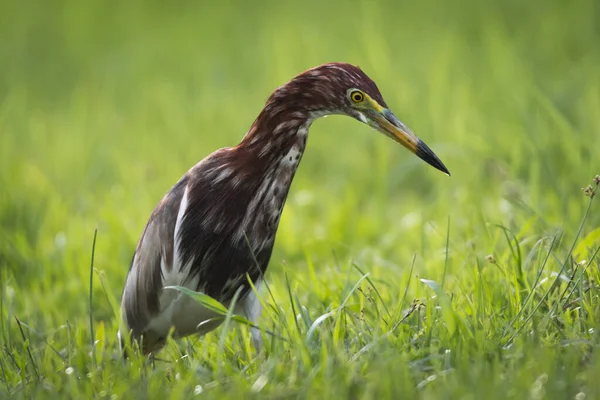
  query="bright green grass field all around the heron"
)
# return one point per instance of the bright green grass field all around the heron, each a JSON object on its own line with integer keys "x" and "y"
{"x": 388, "y": 279}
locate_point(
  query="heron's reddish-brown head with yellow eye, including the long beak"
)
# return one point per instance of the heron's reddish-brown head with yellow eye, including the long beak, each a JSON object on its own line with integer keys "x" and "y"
{"x": 340, "y": 88}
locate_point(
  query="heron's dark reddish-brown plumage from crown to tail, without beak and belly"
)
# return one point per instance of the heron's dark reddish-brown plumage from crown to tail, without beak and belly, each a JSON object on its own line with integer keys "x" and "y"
{"x": 234, "y": 200}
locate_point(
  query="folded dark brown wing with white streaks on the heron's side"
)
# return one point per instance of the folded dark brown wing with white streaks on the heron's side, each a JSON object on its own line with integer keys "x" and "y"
{"x": 197, "y": 236}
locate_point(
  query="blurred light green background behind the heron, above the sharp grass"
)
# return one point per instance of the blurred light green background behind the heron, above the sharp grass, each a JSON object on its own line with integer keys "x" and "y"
{"x": 105, "y": 104}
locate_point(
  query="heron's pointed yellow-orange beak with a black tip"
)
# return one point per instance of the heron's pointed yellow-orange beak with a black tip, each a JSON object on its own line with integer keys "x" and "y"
{"x": 391, "y": 126}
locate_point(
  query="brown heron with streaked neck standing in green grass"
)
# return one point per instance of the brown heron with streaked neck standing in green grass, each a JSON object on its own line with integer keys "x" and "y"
{"x": 213, "y": 232}
